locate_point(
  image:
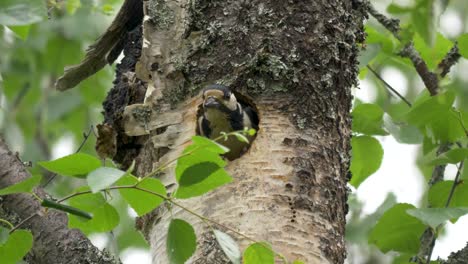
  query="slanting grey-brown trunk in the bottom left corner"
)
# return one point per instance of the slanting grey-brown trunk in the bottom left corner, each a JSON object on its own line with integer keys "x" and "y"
{"x": 53, "y": 241}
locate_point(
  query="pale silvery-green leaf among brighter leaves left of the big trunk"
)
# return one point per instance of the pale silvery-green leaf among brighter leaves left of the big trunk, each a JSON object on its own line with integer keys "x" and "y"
{"x": 103, "y": 177}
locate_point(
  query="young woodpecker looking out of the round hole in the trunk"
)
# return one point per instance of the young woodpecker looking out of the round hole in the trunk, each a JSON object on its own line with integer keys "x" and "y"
{"x": 221, "y": 112}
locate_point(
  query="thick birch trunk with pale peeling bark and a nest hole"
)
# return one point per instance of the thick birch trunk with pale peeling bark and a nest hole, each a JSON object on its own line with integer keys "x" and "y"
{"x": 296, "y": 62}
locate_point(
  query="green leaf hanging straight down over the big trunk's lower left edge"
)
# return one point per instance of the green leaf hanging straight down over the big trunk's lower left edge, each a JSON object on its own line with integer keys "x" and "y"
{"x": 181, "y": 241}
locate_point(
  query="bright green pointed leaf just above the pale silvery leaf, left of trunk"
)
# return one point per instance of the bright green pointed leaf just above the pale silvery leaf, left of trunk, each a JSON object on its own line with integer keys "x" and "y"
{"x": 76, "y": 165}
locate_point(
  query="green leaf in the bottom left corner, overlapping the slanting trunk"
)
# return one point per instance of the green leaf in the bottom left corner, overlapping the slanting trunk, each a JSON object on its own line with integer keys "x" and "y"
{"x": 17, "y": 246}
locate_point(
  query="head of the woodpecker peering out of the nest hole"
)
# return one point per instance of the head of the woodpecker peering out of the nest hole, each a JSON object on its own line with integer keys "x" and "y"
{"x": 218, "y": 98}
